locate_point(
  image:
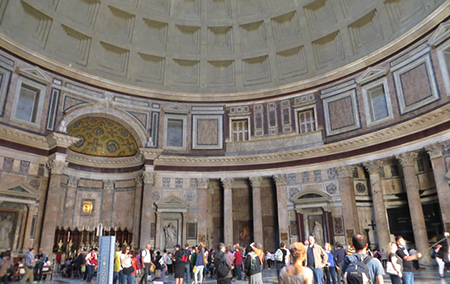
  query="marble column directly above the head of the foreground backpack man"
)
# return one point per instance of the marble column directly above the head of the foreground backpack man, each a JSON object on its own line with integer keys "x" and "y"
{"x": 349, "y": 211}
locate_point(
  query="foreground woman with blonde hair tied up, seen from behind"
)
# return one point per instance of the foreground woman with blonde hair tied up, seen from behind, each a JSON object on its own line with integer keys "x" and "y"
{"x": 296, "y": 273}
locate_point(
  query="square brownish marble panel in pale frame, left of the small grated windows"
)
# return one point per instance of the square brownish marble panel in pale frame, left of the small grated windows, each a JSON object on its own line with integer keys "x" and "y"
{"x": 207, "y": 132}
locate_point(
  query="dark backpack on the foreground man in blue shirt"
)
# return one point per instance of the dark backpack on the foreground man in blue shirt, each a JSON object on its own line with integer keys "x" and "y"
{"x": 357, "y": 271}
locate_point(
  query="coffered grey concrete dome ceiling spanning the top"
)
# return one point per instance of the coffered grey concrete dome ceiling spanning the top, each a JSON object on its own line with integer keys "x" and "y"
{"x": 209, "y": 50}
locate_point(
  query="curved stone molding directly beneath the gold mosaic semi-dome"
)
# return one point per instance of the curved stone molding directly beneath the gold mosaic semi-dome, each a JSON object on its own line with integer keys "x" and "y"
{"x": 104, "y": 162}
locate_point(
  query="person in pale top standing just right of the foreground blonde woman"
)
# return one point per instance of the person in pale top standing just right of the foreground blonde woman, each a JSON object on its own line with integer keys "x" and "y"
{"x": 316, "y": 259}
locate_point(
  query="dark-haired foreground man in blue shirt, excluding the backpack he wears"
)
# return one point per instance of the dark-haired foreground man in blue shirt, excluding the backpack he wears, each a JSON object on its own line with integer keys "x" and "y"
{"x": 374, "y": 267}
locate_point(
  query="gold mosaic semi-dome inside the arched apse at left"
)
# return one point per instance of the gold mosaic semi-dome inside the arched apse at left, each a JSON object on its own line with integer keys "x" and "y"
{"x": 102, "y": 137}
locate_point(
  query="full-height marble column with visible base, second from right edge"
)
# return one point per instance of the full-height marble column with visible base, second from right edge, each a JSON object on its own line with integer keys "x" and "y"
{"x": 407, "y": 161}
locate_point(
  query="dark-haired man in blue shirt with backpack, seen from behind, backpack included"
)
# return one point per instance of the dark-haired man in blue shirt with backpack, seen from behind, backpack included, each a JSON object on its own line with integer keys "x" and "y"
{"x": 359, "y": 267}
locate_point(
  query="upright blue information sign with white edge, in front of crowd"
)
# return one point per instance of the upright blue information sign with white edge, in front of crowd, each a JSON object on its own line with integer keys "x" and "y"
{"x": 106, "y": 260}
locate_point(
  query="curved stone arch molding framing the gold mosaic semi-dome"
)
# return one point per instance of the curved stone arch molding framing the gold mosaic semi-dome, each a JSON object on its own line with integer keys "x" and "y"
{"x": 139, "y": 133}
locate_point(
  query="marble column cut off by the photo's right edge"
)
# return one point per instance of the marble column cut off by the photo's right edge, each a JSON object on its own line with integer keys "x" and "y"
{"x": 442, "y": 186}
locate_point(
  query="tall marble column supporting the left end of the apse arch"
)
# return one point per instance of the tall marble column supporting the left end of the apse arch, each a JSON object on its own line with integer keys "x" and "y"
{"x": 52, "y": 205}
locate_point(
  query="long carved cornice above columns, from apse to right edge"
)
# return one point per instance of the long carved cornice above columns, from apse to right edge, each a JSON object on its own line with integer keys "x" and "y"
{"x": 413, "y": 126}
